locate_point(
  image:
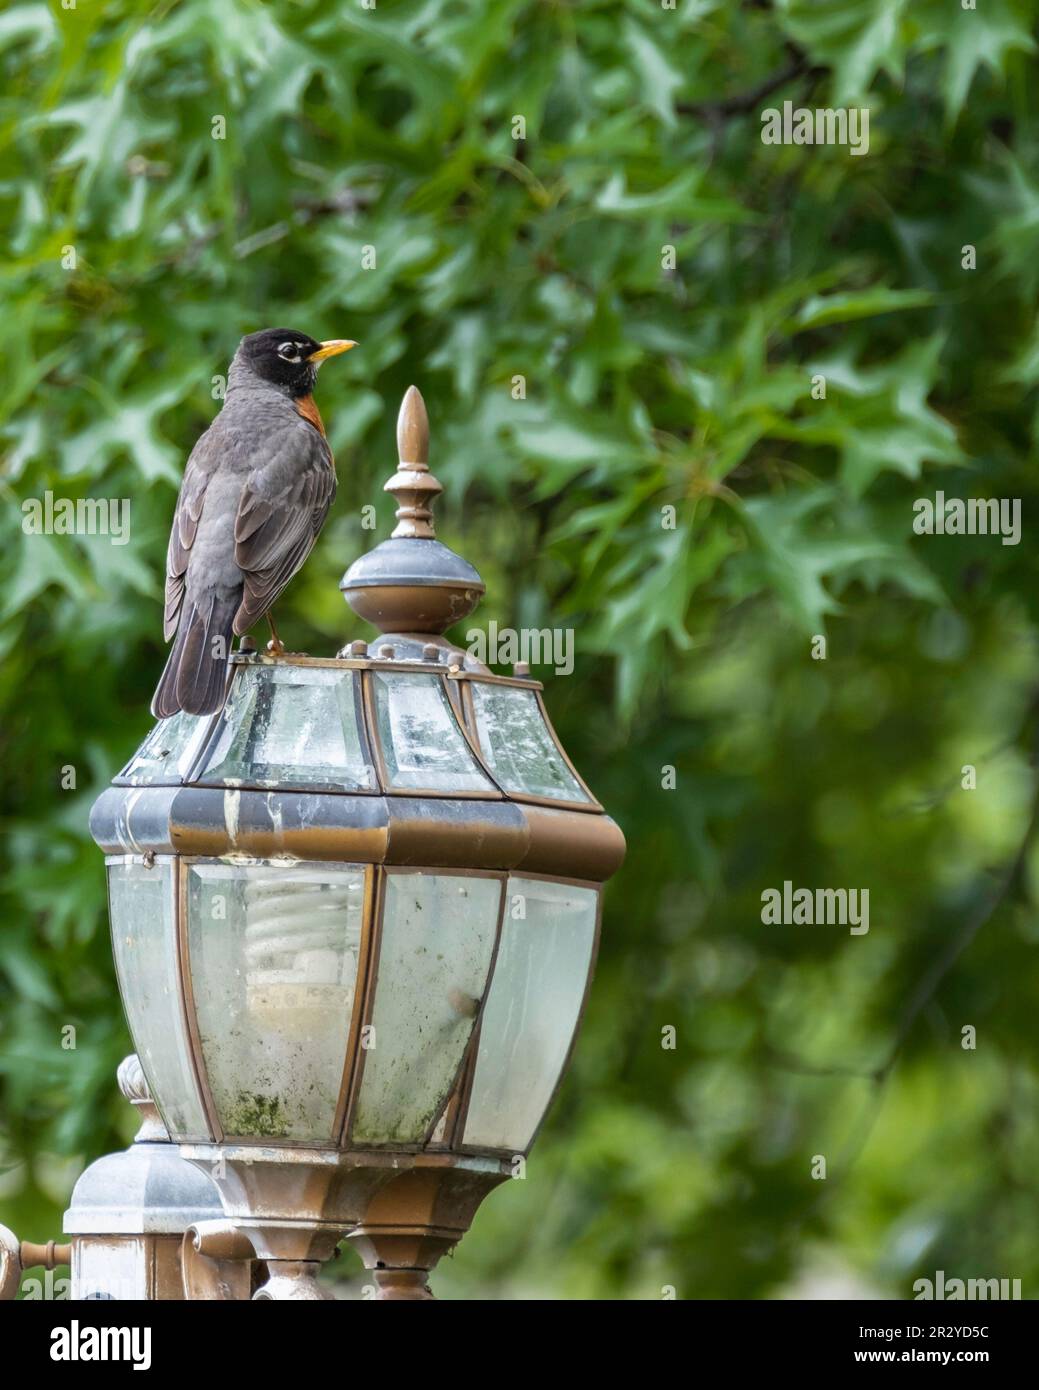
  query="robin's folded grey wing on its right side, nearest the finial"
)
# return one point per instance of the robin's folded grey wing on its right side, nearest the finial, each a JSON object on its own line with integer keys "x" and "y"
{"x": 283, "y": 508}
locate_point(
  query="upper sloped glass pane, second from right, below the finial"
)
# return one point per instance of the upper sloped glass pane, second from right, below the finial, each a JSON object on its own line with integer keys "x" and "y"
{"x": 424, "y": 747}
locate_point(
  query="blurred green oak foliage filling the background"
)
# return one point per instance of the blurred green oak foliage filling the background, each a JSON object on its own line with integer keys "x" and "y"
{"x": 646, "y": 389}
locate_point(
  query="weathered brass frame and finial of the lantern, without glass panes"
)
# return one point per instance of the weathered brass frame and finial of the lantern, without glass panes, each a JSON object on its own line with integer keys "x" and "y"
{"x": 403, "y": 1206}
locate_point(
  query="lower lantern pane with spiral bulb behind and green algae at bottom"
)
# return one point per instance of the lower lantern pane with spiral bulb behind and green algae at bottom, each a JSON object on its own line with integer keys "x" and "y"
{"x": 275, "y": 968}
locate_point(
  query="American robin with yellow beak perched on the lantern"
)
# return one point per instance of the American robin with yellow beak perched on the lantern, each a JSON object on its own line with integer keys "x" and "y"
{"x": 255, "y": 494}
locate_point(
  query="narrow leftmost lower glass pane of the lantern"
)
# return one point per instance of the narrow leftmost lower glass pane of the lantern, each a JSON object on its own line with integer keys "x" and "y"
{"x": 144, "y": 939}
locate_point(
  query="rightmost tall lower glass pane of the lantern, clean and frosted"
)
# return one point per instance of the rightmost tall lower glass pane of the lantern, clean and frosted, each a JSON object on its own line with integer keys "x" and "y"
{"x": 532, "y": 1011}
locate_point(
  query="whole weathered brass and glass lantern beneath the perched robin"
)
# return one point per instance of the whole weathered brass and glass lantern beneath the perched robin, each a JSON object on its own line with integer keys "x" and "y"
{"x": 355, "y": 918}
